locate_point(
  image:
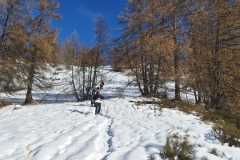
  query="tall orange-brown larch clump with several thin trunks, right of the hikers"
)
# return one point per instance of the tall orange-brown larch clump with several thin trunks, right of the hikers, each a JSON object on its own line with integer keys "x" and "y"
{"x": 146, "y": 44}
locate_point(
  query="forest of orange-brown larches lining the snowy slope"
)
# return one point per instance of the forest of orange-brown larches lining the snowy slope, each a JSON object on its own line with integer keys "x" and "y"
{"x": 193, "y": 43}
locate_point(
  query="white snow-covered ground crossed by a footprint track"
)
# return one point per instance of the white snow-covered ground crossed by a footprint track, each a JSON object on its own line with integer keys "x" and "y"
{"x": 61, "y": 129}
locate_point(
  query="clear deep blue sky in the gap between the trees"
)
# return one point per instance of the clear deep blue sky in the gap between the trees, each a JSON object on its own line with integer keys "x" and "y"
{"x": 78, "y": 15}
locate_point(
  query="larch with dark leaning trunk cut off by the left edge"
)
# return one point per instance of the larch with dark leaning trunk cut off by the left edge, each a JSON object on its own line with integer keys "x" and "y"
{"x": 13, "y": 17}
